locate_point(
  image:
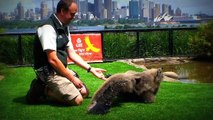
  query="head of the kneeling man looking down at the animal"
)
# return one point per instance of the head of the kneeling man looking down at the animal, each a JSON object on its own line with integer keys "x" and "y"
{"x": 66, "y": 10}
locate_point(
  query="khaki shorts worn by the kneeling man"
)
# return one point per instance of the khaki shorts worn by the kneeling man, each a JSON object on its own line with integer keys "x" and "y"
{"x": 62, "y": 88}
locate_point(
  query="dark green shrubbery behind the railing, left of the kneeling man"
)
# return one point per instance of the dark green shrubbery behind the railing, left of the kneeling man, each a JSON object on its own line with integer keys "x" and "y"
{"x": 9, "y": 52}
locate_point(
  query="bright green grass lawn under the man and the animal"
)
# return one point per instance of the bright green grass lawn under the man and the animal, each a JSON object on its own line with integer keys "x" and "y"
{"x": 175, "y": 101}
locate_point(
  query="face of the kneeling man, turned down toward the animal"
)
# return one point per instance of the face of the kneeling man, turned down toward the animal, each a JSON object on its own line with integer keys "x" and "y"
{"x": 70, "y": 14}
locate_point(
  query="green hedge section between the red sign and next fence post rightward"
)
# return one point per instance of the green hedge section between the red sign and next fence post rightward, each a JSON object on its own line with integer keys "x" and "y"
{"x": 119, "y": 45}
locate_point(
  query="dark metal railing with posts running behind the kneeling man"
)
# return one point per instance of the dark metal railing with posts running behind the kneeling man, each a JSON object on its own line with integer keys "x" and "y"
{"x": 102, "y": 32}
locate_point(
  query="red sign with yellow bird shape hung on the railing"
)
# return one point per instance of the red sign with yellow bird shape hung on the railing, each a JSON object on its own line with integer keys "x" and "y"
{"x": 88, "y": 46}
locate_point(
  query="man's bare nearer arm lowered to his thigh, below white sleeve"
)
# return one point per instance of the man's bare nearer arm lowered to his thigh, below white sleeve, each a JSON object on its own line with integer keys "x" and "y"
{"x": 59, "y": 67}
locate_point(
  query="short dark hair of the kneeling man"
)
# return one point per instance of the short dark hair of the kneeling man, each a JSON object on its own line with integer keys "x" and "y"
{"x": 64, "y": 4}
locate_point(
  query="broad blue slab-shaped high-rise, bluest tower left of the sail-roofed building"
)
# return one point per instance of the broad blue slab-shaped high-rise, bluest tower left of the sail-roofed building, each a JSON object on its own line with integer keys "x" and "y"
{"x": 133, "y": 9}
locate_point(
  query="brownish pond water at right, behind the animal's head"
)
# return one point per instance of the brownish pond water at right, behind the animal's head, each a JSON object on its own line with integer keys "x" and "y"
{"x": 190, "y": 72}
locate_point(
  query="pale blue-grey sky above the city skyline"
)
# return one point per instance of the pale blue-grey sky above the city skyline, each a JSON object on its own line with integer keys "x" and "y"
{"x": 187, "y": 6}
